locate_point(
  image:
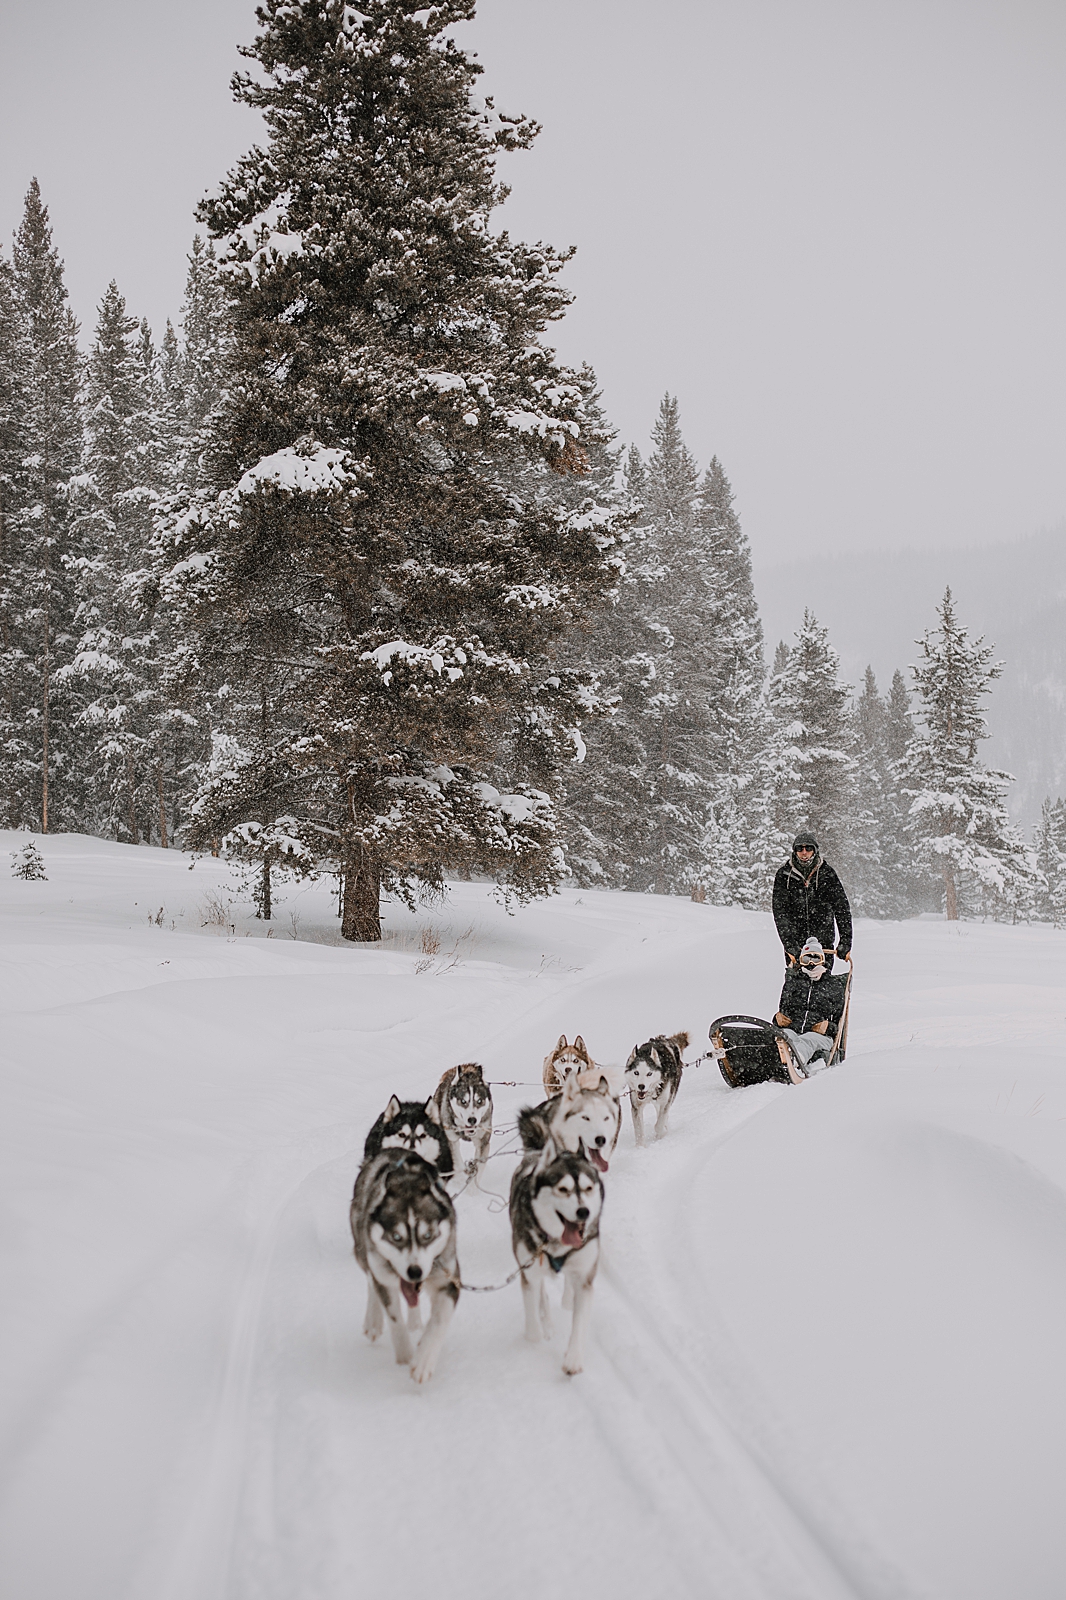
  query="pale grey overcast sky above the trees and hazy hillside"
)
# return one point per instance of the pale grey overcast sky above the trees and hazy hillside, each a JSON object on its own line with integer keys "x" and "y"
{"x": 835, "y": 228}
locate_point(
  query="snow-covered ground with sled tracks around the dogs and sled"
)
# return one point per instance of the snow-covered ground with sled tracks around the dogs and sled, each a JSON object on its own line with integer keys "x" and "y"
{"x": 828, "y": 1350}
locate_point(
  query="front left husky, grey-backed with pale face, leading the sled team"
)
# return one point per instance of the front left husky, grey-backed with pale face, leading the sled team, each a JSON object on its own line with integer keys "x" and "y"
{"x": 404, "y": 1236}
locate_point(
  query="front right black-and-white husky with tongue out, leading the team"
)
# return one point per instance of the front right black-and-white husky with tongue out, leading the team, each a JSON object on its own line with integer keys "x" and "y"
{"x": 556, "y": 1202}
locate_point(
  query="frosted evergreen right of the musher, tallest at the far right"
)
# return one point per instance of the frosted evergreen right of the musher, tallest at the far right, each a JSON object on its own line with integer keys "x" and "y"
{"x": 958, "y": 810}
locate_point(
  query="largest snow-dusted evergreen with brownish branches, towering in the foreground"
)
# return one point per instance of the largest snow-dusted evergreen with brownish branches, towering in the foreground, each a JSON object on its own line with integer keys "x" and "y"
{"x": 361, "y": 556}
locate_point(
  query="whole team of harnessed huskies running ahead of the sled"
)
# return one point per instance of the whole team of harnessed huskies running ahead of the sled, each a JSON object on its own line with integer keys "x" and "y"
{"x": 404, "y": 1223}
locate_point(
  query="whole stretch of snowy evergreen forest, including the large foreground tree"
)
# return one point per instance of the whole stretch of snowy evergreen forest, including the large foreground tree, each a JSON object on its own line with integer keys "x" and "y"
{"x": 347, "y": 574}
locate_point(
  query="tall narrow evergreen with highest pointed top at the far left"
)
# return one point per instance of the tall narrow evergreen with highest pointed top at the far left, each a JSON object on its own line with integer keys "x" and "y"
{"x": 42, "y": 740}
